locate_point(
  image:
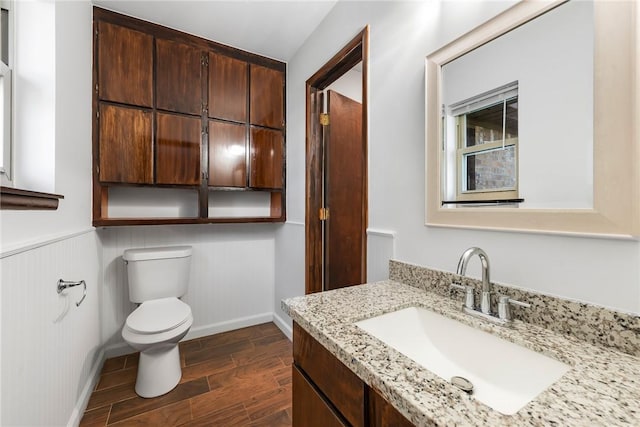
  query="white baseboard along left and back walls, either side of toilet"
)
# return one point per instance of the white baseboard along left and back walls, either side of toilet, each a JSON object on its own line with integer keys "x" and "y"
{"x": 120, "y": 349}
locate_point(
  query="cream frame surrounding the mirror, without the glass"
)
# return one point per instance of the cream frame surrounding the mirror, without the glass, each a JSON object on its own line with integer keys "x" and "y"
{"x": 616, "y": 186}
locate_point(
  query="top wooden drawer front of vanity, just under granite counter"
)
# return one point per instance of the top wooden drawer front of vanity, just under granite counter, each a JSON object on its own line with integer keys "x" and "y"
{"x": 341, "y": 387}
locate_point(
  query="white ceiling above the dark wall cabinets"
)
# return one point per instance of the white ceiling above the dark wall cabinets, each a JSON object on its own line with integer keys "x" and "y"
{"x": 275, "y": 29}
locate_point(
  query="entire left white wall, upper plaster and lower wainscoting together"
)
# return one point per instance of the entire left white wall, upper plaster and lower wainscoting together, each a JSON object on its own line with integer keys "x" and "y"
{"x": 46, "y": 364}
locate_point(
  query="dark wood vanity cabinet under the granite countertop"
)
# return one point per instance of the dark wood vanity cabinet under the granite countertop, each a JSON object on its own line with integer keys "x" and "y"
{"x": 327, "y": 393}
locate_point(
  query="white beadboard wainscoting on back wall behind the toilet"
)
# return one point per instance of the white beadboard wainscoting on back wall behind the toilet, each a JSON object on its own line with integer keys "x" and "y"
{"x": 232, "y": 275}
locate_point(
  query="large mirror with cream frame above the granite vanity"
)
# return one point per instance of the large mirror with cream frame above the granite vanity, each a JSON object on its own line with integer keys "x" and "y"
{"x": 531, "y": 122}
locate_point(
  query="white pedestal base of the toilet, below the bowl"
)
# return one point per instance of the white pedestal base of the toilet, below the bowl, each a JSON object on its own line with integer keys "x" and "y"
{"x": 159, "y": 371}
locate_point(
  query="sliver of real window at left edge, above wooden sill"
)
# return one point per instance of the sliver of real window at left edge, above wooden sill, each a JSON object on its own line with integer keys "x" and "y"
{"x": 5, "y": 91}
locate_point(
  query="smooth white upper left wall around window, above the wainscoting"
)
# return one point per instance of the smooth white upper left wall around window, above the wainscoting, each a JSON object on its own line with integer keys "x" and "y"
{"x": 52, "y": 142}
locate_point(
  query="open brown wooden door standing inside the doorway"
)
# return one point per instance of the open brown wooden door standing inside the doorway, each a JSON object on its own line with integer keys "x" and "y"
{"x": 345, "y": 186}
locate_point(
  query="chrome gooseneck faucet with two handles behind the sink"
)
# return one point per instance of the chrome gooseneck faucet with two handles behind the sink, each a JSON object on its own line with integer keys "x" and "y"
{"x": 503, "y": 315}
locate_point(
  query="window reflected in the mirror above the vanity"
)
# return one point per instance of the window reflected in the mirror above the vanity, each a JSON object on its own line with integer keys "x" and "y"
{"x": 486, "y": 145}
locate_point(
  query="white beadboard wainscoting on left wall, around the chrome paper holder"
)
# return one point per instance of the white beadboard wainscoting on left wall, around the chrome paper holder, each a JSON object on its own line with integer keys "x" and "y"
{"x": 51, "y": 349}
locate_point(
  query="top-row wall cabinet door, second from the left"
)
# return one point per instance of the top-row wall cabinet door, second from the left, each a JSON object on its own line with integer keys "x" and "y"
{"x": 178, "y": 77}
